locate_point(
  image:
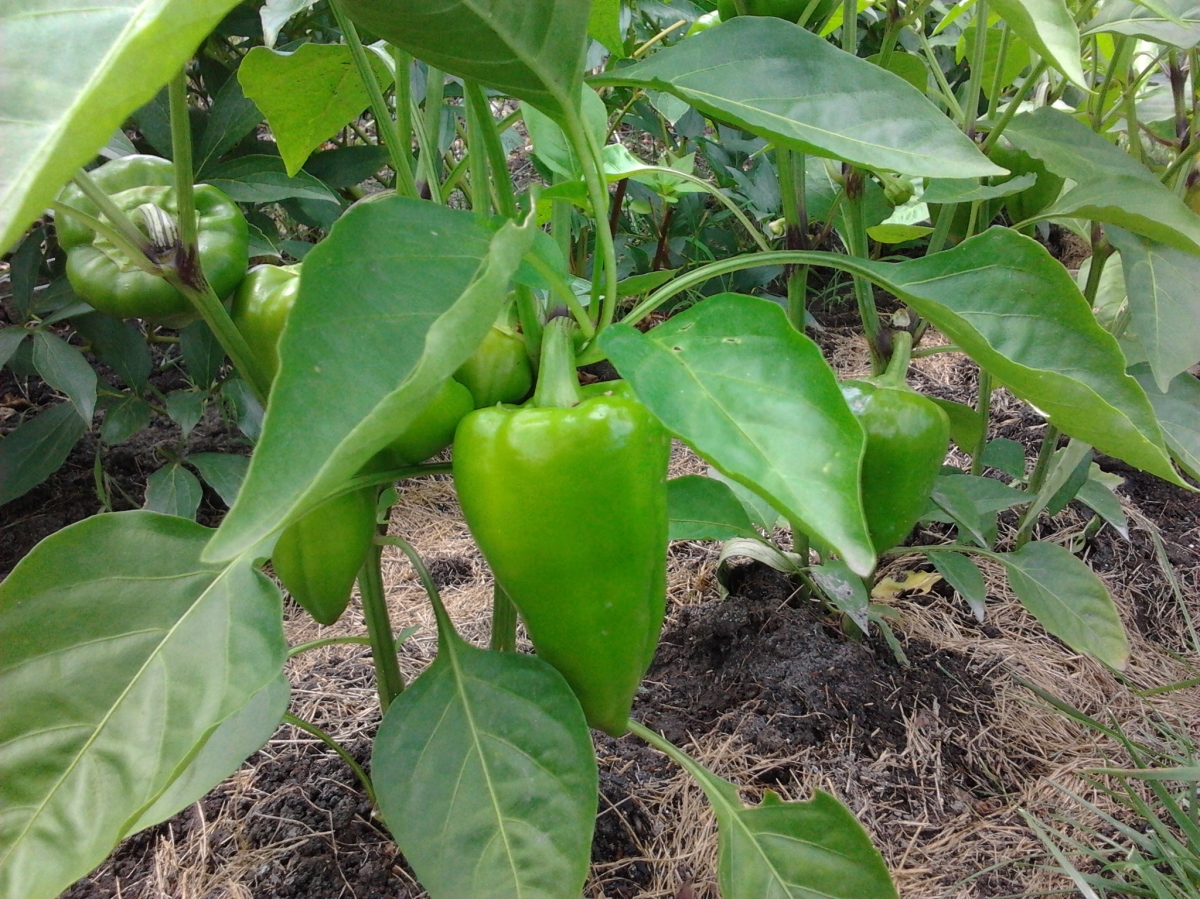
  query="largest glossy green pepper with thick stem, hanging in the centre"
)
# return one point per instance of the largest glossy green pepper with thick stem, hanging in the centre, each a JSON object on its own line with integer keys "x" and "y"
{"x": 567, "y": 499}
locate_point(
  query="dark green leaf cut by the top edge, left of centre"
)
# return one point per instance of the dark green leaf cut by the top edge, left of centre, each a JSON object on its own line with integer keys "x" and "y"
{"x": 531, "y": 50}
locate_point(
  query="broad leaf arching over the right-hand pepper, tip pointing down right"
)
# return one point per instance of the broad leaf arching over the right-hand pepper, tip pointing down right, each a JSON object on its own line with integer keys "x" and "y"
{"x": 1018, "y": 314}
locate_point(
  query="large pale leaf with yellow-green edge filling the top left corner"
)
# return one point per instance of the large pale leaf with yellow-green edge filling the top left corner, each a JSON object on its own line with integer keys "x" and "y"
{"x": 70, "y": 75}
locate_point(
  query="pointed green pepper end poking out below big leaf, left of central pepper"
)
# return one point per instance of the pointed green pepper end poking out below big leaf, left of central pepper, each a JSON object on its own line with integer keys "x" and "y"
{"x": 319, "y": 558}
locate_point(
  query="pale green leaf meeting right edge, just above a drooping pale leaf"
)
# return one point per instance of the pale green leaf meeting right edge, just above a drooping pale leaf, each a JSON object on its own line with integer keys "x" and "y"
{"x": 1111, "y": 185}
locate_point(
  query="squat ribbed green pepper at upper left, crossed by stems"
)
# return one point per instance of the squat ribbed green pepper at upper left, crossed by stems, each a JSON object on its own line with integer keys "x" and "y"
{"x": 110, "y": 281}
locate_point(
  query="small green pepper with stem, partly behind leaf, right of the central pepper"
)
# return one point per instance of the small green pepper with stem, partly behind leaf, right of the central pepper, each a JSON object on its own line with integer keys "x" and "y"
{"x": 908, "y": 436}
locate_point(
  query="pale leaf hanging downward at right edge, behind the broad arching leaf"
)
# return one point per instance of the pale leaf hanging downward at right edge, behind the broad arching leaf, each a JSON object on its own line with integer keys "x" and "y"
{"x": 1161, "y": 285}
